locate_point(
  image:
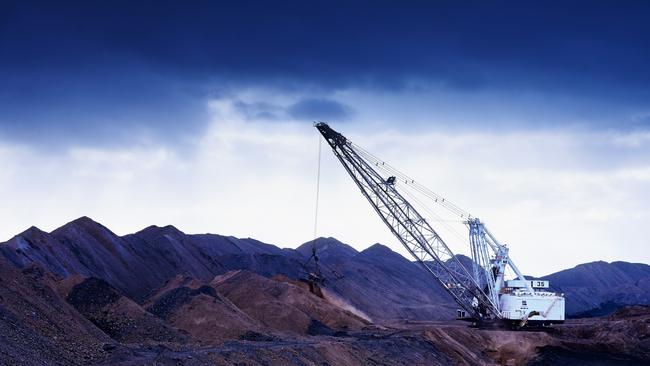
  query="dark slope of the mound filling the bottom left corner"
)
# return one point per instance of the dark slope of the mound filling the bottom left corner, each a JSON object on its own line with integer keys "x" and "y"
{"x": 38, "y": 327}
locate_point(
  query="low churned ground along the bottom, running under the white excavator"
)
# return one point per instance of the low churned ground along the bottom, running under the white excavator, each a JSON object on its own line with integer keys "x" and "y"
{"x": 436, "y": 343}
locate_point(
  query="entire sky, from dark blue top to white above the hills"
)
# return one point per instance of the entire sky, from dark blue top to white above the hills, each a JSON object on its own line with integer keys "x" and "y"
{"x": 200, "y": 115}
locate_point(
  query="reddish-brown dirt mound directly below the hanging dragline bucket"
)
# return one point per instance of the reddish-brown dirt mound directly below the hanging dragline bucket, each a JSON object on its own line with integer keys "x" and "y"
{"x": 284, "y": 306}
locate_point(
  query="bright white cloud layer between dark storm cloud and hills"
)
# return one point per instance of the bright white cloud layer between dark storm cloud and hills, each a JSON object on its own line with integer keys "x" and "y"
{"x": 539, "y": 191}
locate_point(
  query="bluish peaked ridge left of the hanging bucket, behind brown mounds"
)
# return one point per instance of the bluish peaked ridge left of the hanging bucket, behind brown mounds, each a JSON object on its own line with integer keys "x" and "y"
{"x": 140, "y": 263}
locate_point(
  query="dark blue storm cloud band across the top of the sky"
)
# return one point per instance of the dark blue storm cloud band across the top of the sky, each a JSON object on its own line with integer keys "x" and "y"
{"x": 89, "y": 66}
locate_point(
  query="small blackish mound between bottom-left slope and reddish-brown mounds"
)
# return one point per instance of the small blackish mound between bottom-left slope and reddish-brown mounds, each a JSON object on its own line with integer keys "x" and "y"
{"x": 118, "y": 316}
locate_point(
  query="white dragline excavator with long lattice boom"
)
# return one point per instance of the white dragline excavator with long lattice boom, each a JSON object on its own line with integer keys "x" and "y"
{"x": 482, "y": 291}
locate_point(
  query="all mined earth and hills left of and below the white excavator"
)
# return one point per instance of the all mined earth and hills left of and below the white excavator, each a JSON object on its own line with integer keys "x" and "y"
{"x": 83, "y": 296}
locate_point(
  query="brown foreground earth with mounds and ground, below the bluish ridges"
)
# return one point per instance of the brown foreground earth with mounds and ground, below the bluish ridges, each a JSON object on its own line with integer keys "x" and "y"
{"x": 241, "y": 318}
